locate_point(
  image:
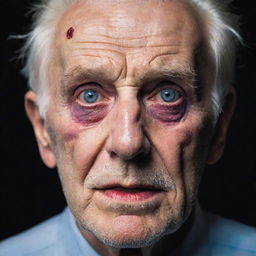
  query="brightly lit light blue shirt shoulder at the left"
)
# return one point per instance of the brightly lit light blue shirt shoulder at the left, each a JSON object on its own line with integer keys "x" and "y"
{"x": 35, "y": 240}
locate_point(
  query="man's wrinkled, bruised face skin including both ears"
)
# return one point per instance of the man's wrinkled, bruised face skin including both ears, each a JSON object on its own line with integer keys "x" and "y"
{"x": 130, "y": 163}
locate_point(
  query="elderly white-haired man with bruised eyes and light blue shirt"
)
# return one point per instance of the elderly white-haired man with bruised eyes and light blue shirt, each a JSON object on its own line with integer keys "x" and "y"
{"x": 130, "y": 99}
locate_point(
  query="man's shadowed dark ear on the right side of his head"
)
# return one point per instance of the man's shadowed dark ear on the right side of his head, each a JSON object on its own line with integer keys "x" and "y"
{"x": 219, "y": 137}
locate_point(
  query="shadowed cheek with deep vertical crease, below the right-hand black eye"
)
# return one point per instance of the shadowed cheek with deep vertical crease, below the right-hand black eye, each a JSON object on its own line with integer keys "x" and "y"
{"x": 178, "y": 147}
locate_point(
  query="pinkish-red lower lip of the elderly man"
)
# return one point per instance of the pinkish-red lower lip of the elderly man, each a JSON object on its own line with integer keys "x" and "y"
{"x": 129, "y": 195}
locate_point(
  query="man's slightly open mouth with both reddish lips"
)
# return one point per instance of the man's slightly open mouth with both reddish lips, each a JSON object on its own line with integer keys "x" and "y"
{"x": 134, "y": 193}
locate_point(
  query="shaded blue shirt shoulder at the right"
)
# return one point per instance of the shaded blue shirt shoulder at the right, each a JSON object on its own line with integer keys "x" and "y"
{"x": 229, "y": 237}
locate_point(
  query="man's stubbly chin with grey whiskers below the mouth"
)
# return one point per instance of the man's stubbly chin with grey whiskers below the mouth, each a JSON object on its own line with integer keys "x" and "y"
{"x": 131, "y": 231}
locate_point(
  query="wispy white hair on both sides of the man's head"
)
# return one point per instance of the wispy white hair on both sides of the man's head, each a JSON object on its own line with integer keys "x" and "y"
{"x": 222, "y": 38}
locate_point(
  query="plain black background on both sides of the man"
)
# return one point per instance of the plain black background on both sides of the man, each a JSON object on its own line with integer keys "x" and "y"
{"x": 30, "y": 193}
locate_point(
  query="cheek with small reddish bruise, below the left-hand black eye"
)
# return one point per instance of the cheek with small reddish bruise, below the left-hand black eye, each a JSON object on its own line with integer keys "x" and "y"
{"x": 75, "y": 148}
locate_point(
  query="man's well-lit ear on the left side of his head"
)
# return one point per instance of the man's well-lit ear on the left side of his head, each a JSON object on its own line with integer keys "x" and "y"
{"x": 42, "y": 137}
